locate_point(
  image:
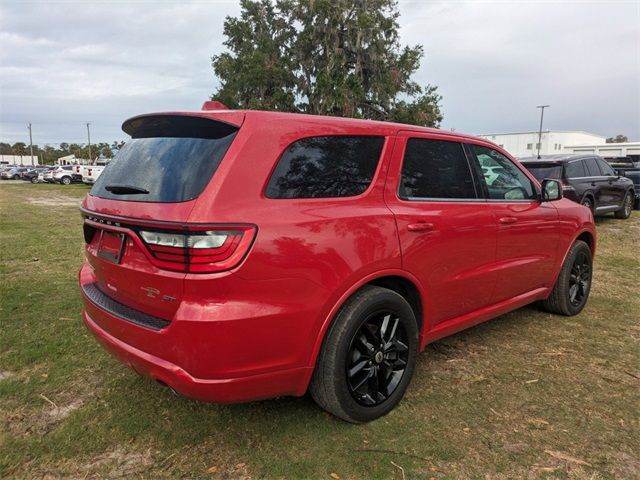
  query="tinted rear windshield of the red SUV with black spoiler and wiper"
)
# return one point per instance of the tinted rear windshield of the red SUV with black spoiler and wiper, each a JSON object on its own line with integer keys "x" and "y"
{"x": 170, "y": 158}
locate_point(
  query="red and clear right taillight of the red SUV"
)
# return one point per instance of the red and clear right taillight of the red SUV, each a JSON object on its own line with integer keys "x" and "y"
{"x": 201, "y": 250}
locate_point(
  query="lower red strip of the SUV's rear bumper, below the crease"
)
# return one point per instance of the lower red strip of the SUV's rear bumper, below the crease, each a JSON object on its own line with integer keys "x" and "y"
{"x": 227, "y": 390}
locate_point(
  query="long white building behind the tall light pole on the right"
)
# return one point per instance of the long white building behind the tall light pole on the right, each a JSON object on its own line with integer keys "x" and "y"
{"x": 525, "y": 144}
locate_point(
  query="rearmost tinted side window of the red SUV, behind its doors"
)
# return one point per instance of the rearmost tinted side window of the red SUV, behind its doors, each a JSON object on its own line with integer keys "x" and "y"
{"x": 325, "y": 167}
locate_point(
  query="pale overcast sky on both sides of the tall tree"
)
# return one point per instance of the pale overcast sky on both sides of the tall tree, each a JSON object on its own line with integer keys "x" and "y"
{"x": 63, "y": 63}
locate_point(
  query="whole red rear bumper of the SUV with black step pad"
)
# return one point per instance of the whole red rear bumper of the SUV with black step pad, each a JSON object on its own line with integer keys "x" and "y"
{"x": 222, "y": 352}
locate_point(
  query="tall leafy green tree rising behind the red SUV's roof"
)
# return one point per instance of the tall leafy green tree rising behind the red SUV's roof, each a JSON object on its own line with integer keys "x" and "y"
{"x": 326, "y": 57}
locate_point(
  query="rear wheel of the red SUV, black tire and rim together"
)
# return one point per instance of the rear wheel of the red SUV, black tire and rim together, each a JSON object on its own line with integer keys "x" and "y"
{"x": 368, "y": 356}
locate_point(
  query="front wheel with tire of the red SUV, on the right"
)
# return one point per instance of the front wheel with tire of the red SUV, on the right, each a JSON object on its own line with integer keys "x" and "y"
{"x": 571, "y": 291}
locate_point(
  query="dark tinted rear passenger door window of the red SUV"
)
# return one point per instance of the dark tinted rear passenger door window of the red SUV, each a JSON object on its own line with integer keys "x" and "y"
{"x": 435, "y": 169}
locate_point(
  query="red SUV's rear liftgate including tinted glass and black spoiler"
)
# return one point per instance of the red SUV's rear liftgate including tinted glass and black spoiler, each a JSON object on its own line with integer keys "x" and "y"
{"x": 139, "y": 242}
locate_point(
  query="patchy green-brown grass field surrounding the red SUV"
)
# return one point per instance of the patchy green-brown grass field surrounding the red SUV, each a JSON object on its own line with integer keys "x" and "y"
{"x": 528, "y": 395}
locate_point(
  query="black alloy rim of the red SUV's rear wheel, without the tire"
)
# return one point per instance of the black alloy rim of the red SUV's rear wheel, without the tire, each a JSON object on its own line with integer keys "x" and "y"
{"x": 377, "y": 359}
